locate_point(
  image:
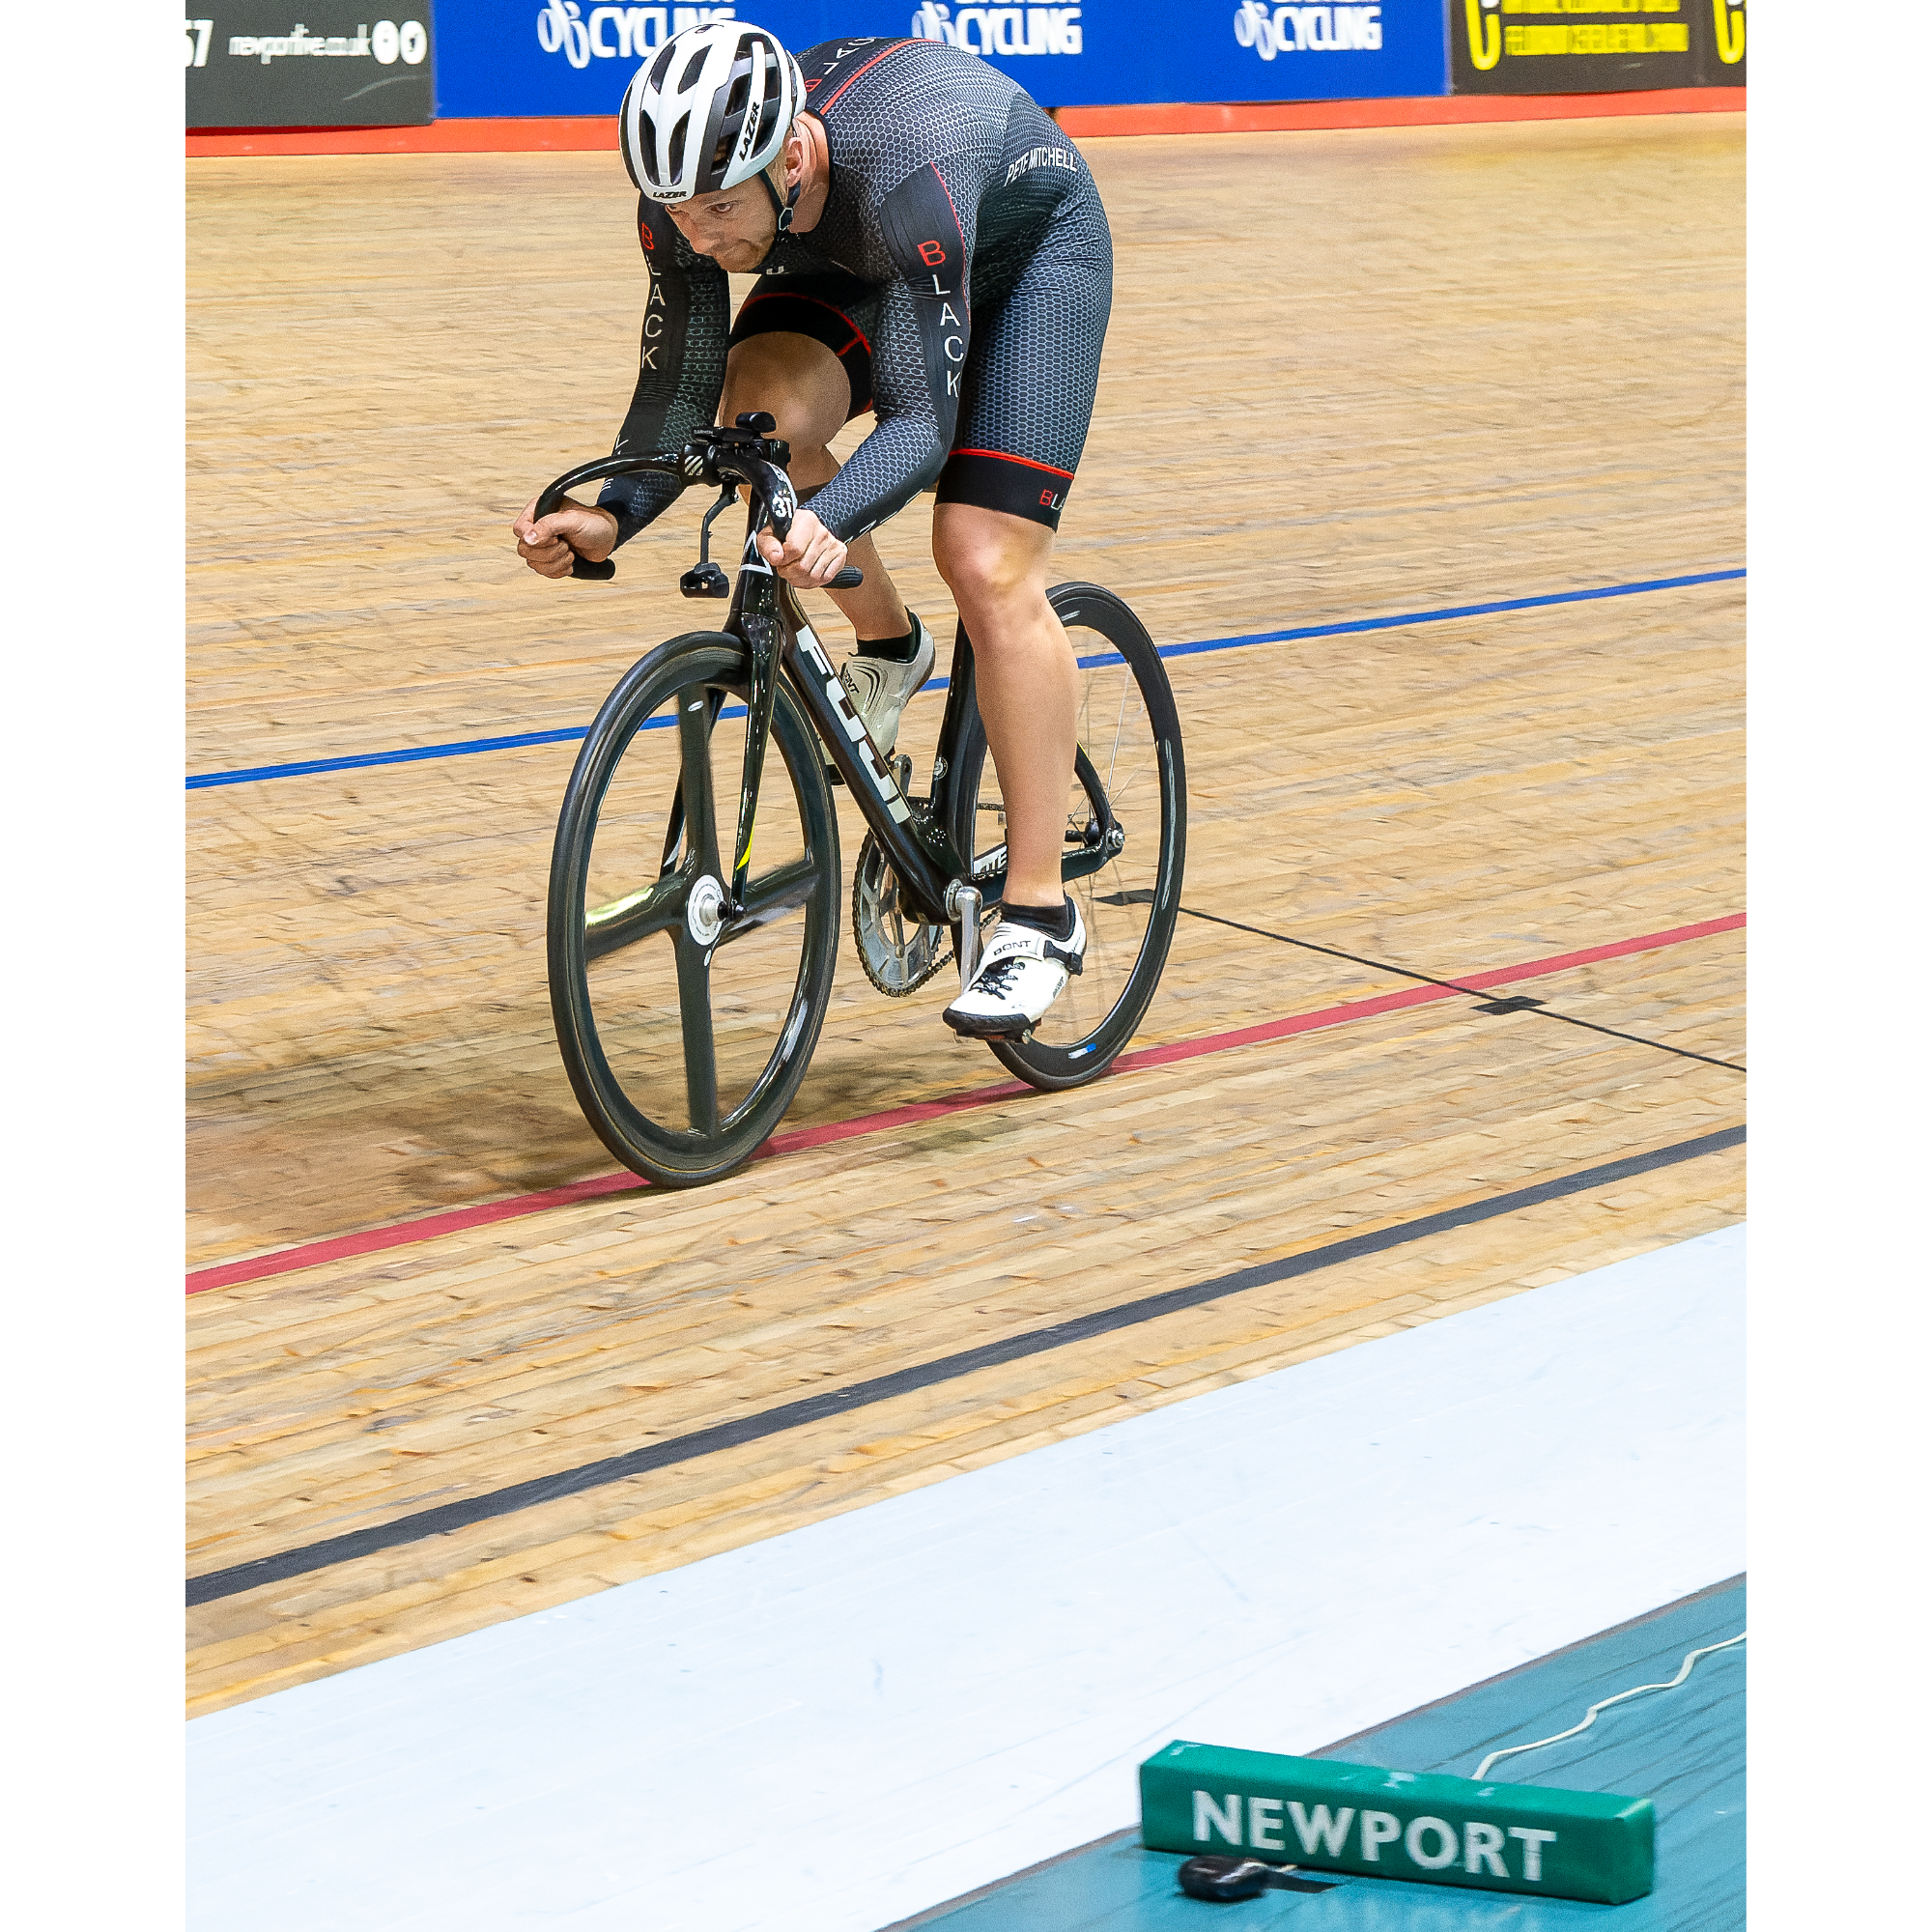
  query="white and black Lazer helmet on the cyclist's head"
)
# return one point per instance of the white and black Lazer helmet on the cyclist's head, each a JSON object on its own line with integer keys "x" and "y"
{"x": 710, "y": 111}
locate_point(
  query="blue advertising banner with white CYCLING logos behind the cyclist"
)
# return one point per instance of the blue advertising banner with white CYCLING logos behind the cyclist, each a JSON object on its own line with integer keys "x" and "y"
{"x": 573, "y": 57}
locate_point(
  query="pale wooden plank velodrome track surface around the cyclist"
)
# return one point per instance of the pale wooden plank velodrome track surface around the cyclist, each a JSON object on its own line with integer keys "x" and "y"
{"x": 1350, "y": 376}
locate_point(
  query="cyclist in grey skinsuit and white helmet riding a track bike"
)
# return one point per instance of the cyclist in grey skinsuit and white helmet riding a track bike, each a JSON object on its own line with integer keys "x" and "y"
{"x": 932, "y": 248}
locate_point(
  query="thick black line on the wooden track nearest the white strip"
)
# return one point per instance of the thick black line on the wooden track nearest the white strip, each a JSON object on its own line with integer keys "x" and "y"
{"x": 447, "y": 1518}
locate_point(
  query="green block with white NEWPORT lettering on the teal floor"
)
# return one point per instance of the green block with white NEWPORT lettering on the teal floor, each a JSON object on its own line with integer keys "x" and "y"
{"x": 1398, "y": 1825}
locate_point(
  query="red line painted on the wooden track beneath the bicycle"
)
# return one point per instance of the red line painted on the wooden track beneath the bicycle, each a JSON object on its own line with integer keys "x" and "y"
{"x": 453, "y": 1222}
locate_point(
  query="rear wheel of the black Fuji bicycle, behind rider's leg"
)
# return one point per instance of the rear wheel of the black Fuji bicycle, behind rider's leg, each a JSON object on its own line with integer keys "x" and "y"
{"x": 1093, "y": 1023}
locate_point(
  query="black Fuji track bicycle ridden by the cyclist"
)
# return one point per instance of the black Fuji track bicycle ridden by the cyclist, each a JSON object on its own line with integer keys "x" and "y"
{"x": 695, "y": 899}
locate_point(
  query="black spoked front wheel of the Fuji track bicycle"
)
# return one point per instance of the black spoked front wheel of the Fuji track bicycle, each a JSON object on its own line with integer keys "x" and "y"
{"x": 685, "y": 1021}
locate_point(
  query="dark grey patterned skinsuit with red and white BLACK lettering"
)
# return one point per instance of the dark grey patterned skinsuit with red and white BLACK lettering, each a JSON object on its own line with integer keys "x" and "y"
{"x": 961, "y": 271}
